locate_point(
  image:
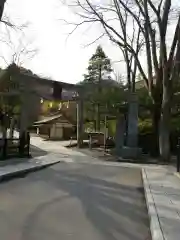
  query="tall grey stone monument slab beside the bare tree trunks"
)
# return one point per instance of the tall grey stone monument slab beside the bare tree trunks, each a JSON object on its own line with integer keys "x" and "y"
{"x": 132, "y": 134}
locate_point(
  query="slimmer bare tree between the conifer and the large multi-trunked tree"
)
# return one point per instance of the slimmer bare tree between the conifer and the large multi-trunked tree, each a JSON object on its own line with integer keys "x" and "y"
{"x": 116, "y": 18}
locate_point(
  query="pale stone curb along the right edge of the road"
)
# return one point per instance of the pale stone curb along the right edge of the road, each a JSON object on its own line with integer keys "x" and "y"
{"x": 155, "y": 227}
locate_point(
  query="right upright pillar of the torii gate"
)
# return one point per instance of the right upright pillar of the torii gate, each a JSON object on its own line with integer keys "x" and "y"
{"x": 80, "y": 120}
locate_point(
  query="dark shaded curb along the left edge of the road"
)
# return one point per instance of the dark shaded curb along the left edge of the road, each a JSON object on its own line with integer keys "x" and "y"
{"x": 22, "y": 172}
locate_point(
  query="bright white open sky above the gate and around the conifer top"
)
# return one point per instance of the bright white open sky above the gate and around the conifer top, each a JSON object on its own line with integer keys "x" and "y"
{"x": 56, "y": 57}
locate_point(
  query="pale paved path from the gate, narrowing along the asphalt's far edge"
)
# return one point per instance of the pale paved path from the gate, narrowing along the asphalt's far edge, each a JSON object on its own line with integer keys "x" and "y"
{"x": 82, "y": 155}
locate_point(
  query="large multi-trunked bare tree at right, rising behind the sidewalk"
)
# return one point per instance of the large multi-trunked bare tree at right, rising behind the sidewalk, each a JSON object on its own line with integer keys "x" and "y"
{"x": 153, "y": 19}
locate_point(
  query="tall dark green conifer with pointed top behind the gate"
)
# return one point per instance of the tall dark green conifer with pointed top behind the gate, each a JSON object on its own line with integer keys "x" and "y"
{"x": 103, "y": 95}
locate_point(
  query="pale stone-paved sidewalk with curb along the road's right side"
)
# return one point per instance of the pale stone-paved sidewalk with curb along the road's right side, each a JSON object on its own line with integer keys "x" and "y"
{"x": 162, "y": 191}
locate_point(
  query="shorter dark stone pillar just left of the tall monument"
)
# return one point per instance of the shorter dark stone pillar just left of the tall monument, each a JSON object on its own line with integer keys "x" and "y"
{"x": 119, "y": 137}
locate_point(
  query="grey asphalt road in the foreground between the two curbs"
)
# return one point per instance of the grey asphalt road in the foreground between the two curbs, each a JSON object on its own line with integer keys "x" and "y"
{"x": 74, "y": 201}
